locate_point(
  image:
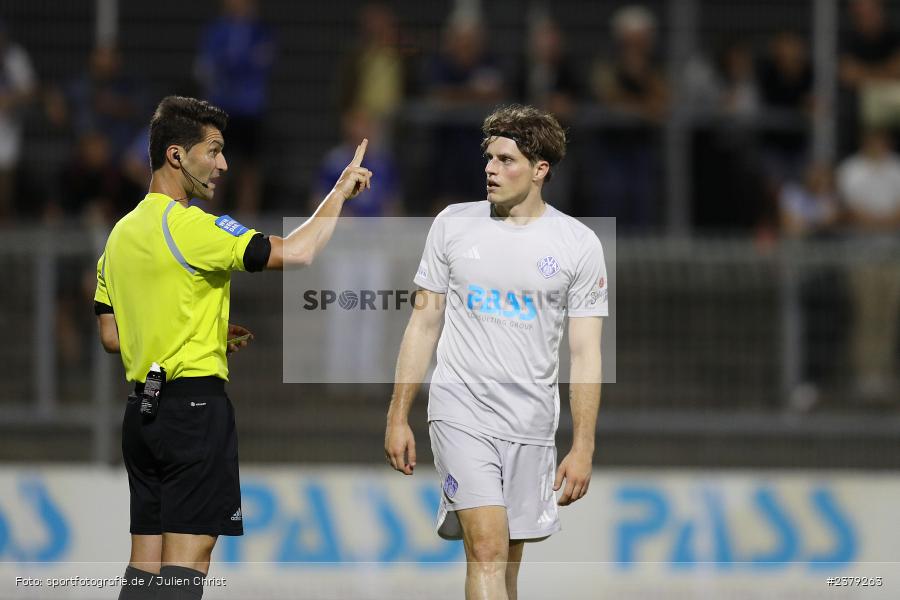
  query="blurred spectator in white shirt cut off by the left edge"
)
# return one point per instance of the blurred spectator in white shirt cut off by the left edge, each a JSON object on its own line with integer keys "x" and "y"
{"x": 17, "y": 85}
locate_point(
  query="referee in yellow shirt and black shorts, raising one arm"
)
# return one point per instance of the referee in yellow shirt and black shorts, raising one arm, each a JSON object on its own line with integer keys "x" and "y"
{"x": 162, "y": 302}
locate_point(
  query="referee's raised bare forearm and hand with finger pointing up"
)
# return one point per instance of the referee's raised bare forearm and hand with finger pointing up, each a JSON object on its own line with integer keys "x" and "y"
{"x": 302, "y": 245}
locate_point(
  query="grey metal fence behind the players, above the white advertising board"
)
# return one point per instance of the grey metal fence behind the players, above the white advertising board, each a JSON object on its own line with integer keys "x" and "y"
{"x": 718, "y": 339}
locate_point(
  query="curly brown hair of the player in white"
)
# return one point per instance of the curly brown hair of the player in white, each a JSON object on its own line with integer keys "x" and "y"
{"x": 538, "y": 134}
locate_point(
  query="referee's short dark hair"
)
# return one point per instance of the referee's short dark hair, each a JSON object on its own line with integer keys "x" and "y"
{"x": 180, "y": 120}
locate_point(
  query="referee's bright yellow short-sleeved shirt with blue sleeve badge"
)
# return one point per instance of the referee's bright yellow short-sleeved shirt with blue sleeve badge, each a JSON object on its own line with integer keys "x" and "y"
{"x": 166, "y": 273}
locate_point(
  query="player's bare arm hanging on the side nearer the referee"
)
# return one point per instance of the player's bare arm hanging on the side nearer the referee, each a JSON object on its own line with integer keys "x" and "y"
{"x": 416, "y": 349}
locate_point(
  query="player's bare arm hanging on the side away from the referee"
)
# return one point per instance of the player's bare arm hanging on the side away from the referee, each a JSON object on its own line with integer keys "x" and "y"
{"x": 584, "y": 398}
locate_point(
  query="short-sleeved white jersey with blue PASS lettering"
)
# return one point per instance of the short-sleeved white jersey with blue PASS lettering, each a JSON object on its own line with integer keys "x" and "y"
{"x": 509, "y": 289}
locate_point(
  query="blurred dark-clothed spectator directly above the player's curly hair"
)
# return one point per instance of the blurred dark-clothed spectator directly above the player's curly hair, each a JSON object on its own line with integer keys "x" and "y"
{"x": 547, "y": 78}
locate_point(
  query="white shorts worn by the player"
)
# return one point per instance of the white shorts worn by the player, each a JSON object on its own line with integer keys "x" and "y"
{"x": 480, "y": 470}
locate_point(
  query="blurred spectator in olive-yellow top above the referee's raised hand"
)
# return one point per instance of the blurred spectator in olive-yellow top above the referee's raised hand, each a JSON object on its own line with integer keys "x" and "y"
{"x": 375, "y": 77}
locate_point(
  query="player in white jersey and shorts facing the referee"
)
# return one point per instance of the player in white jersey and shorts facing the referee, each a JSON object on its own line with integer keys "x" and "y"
{"x": 499, "y": 278}
